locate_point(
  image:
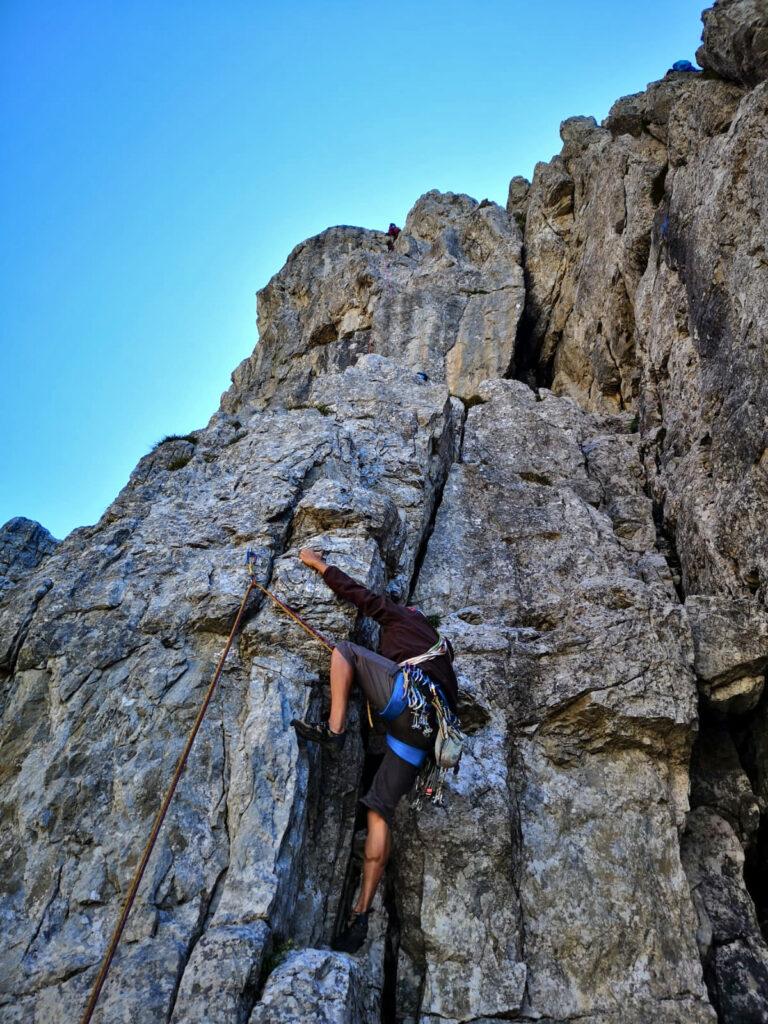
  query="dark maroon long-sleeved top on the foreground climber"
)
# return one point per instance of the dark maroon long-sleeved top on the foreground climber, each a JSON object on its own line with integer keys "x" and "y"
{"x": 405, "y": 633}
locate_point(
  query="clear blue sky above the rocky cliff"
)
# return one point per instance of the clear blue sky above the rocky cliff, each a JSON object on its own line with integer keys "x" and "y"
{"x": 160, "y": 159}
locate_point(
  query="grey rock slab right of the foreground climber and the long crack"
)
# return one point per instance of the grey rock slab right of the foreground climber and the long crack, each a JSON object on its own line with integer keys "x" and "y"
{"x": 575, "y": 645}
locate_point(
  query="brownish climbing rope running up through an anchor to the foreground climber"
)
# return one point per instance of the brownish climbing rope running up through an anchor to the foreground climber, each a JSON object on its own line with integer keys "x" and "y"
{"x": 160, "y": 818}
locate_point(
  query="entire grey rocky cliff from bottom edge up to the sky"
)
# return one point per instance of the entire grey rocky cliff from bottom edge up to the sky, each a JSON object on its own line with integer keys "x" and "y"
{"x": 545, "y": 425}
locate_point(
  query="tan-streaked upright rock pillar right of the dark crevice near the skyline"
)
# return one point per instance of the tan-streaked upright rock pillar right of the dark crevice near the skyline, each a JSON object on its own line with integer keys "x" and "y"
{"x": 587, "y": 237}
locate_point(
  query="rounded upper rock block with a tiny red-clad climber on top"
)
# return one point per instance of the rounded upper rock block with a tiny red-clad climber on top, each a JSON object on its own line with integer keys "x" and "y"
{"x": 447, "y": 303}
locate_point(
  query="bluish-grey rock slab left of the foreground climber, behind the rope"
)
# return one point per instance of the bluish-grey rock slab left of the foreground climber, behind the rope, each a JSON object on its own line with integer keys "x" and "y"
{"x": 110, "y": 664}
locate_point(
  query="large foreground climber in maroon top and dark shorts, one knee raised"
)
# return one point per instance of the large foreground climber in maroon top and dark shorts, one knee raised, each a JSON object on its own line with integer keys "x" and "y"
{"x": 406, "y": 636}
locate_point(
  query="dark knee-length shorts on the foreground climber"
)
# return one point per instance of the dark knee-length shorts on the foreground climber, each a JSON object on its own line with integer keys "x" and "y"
{"x": 375, "y": 675}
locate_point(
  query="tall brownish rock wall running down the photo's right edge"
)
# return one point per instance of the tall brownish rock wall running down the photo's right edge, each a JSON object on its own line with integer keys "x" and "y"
{"x": 690, "y": 204}
